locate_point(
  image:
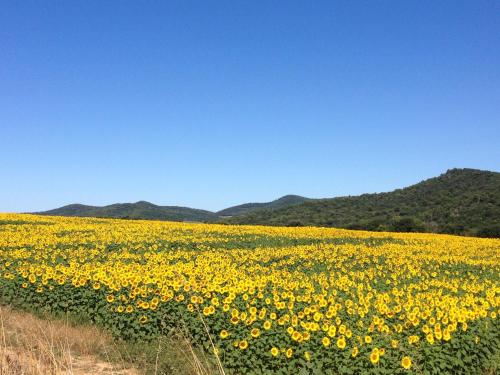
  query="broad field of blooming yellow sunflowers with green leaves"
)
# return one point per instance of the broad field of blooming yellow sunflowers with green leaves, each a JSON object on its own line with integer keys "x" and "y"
{"x": 267, "y": 299}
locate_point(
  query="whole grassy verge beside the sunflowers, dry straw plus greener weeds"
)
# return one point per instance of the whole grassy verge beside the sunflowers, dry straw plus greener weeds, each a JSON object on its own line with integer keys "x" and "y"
{"x": 30, "y": 345}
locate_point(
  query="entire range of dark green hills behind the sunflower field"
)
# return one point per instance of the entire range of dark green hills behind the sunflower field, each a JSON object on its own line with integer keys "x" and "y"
{"x": 461, "y": 201}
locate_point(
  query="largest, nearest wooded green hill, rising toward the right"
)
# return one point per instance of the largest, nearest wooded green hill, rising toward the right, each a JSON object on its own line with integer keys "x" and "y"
{"x": 460, "y": 201}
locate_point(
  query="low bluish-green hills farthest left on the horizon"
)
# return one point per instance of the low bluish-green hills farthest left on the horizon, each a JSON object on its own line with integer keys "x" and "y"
{"x": 138, "y": 210}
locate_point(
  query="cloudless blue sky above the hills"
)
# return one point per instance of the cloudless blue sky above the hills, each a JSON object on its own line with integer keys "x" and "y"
{"x": 214, "y": 103}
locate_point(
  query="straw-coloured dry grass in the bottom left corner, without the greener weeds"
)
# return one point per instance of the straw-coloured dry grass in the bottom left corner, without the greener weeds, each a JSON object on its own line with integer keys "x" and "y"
{"x": 34, "y": 346}
